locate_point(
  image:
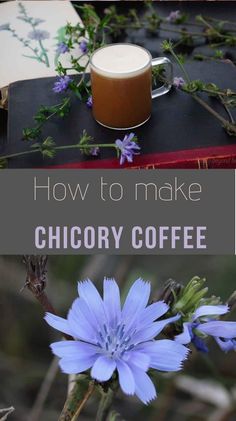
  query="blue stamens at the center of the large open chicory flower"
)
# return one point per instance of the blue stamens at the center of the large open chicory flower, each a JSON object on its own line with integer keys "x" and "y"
{"x": 115, "y": 341}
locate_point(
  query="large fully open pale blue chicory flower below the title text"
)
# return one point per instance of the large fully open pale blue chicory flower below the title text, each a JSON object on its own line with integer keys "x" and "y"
{"x": 109, "y": 337}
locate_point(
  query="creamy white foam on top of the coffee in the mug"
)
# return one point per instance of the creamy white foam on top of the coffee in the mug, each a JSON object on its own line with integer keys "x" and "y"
{"x": 119, "y": 60}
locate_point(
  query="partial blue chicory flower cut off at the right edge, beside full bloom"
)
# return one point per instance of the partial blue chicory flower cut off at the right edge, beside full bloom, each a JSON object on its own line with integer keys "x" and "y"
{"x": 205, "y": 322}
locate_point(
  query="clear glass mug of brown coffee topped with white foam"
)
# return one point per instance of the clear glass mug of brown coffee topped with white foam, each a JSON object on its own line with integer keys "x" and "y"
{"x": 121, "y": 80}
